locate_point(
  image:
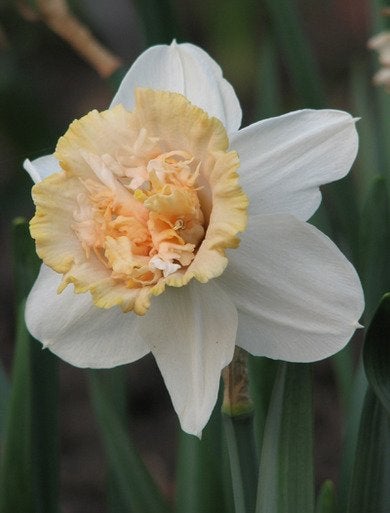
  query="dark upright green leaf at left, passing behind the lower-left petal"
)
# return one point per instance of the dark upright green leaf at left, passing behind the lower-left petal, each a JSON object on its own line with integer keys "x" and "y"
{"x": 44, "y": 387}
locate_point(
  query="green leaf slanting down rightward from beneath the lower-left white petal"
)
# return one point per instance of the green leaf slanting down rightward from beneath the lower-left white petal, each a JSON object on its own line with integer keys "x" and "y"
{"x": 133, "y": 482}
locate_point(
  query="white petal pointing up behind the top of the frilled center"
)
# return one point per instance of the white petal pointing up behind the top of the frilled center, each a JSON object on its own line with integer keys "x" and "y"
{"x": 184, "y": 69}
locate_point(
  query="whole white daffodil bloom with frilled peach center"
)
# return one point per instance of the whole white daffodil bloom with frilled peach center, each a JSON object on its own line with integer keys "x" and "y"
{"x": 139, "y": 212}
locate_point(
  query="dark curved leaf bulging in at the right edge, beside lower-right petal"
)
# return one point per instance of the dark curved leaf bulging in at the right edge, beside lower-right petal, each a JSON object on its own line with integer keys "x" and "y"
{"x": 376, "y": 352}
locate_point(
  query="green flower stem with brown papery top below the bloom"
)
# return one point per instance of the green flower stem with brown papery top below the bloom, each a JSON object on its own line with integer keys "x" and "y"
{"x": 238, "y": 414}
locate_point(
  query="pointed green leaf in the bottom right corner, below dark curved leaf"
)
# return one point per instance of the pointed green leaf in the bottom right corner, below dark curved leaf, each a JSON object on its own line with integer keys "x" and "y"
{"x": 370, "y": 492}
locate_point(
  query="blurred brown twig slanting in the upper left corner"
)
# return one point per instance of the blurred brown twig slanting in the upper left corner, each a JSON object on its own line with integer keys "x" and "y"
{"x": 58, "y": 17}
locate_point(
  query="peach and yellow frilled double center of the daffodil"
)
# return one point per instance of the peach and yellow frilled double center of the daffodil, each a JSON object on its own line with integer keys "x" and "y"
{"x": 146, "y": 199}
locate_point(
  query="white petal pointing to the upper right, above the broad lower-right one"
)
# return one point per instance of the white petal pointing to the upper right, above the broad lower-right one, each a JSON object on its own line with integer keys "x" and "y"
{"x": 284, "y": 160}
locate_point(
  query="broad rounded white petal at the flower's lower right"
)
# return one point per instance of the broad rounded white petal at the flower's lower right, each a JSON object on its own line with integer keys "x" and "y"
{"x": 299, "y": 299}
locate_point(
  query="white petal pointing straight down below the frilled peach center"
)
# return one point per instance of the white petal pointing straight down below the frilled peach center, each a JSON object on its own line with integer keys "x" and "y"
{"x": 192, "y": 332}
